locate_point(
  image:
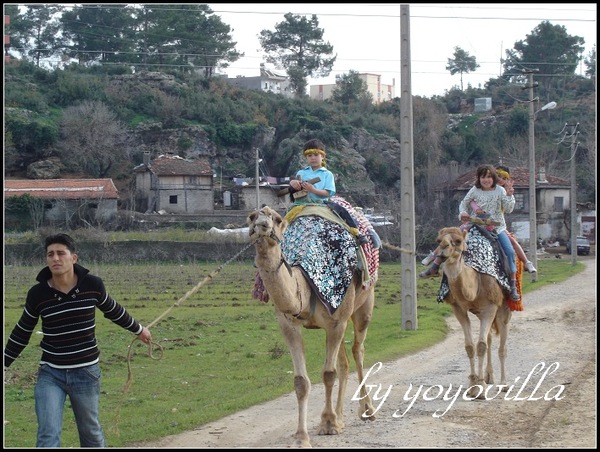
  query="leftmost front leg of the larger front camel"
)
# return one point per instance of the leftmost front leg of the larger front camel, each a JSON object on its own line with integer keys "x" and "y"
{"x": 293, "y": 336}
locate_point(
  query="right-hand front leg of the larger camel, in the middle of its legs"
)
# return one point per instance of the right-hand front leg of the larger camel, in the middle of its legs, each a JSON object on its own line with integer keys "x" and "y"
{"x": 333, "y": 341}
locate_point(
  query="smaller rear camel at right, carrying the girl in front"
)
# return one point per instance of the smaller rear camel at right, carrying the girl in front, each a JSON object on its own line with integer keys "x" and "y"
{"x": 483, "y": 296}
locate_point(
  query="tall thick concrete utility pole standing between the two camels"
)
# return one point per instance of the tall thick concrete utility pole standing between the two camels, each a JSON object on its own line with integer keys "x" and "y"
{"x": 407, "y": 180}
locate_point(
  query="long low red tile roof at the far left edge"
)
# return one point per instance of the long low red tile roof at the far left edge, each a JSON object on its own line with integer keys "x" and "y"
{"x": 62, "y": 188}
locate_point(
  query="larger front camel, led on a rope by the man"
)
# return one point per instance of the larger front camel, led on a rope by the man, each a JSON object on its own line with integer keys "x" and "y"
{"x": 291, "y": 294}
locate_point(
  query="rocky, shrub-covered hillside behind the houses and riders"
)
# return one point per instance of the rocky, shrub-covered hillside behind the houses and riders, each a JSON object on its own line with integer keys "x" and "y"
{"x": 84, "y": 123}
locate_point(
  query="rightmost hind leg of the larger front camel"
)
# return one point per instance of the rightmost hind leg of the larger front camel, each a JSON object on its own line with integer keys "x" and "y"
{"x": 361, "y": 320}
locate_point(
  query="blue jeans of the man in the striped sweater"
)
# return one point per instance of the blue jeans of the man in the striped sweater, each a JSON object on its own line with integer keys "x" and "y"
{"x": 82, "y": 385}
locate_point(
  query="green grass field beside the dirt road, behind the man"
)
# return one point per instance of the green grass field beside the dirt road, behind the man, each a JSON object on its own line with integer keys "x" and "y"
{"x": 222, "y": 350}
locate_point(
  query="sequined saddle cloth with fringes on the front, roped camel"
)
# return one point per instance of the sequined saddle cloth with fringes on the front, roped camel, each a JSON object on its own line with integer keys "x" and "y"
{"x": 322, "y": 246}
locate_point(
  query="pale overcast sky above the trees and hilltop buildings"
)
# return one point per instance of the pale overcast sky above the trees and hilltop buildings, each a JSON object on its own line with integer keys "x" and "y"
{"x": 366, "y": 37}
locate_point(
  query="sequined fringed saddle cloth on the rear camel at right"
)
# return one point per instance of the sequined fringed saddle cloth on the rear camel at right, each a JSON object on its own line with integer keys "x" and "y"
{"x": 486, "y": 257}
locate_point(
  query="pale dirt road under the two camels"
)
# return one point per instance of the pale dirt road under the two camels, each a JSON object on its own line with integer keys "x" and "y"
{"x": 551, "y": 354}
